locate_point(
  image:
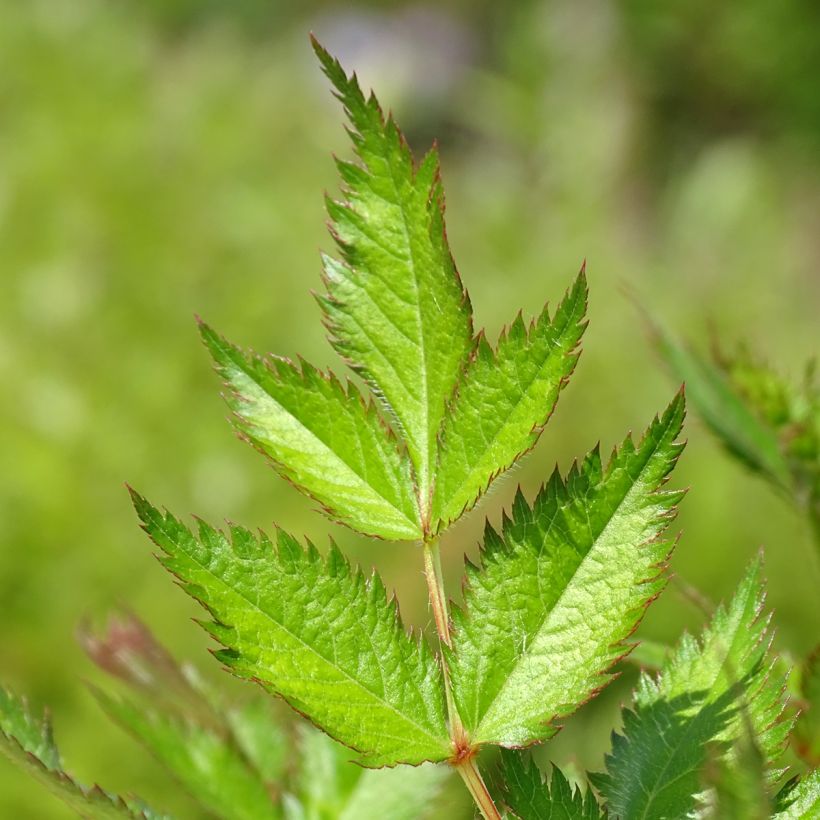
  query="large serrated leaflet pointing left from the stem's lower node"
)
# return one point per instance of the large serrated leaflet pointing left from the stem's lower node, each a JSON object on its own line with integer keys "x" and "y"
{"x": 316, "y": 633}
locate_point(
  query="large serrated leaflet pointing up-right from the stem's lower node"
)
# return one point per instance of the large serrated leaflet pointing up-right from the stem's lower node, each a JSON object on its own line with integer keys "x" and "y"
{"x": 562, "y": 586}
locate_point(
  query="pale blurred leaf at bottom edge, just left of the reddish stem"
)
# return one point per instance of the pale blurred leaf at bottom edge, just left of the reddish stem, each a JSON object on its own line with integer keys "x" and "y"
{"x": 331, "y": 787}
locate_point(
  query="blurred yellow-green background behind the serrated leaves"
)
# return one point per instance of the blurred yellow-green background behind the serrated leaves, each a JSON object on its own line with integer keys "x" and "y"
{"x": 165, "y": 157}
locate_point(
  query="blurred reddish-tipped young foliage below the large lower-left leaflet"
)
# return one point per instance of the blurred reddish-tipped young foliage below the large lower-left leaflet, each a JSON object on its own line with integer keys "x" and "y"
{"x": 230, "y": 757}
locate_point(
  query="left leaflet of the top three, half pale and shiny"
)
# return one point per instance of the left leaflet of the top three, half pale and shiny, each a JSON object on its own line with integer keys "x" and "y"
{"x": 322, "y": 437}
